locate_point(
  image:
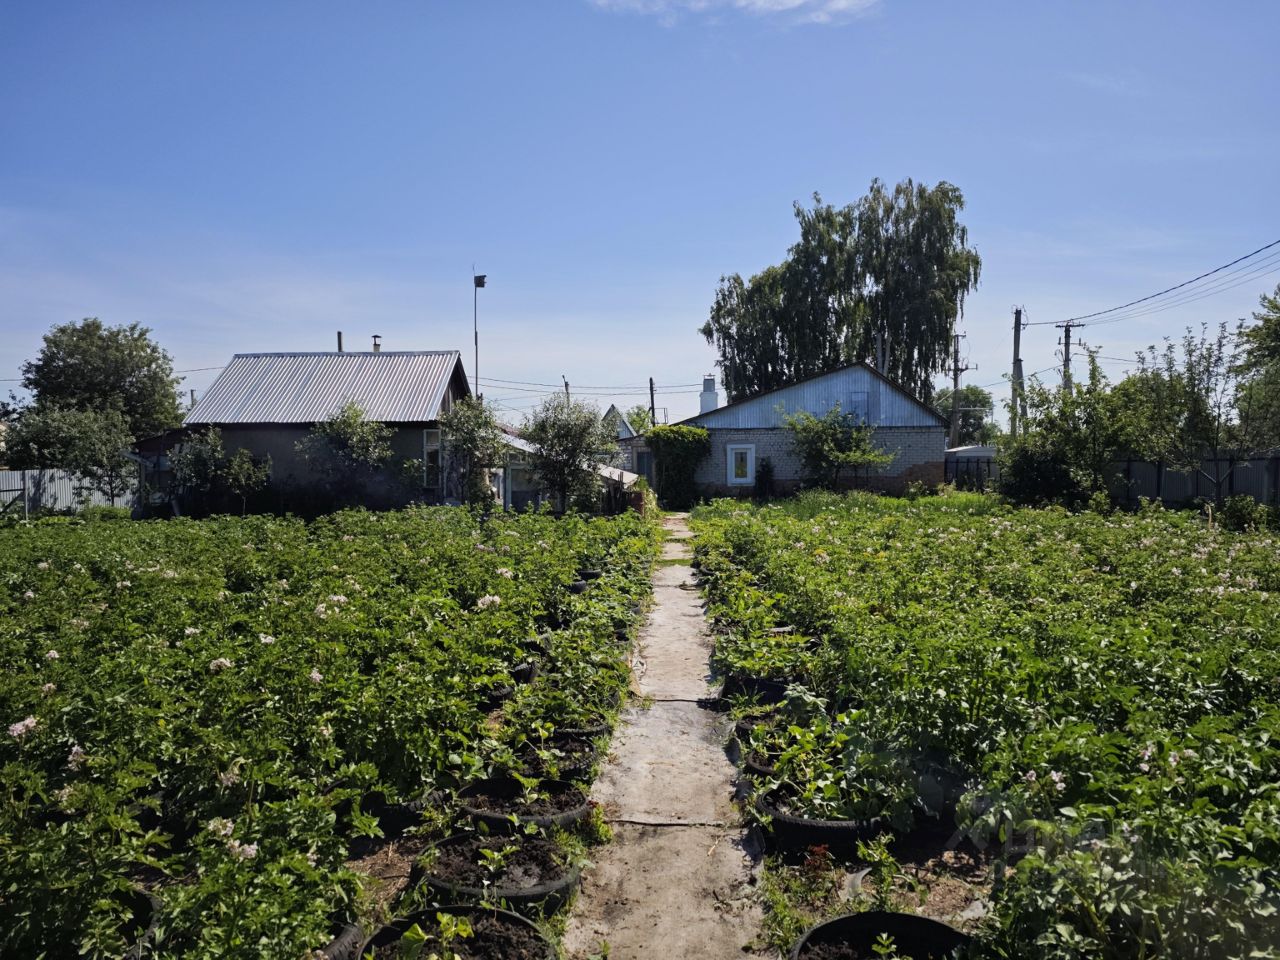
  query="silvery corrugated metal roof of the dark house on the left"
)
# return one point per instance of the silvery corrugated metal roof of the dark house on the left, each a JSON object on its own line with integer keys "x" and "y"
{"x": 305, "y": 388}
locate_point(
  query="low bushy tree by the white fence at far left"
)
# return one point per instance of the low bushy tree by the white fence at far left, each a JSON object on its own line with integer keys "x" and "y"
{"x": 90, "y": 444}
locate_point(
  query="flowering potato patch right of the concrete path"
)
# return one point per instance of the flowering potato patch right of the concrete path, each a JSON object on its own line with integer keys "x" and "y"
{"x": 1094, "y": 701}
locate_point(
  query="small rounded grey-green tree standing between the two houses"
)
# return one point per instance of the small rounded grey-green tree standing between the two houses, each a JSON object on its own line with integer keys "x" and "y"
{"x": 569, "y": 438}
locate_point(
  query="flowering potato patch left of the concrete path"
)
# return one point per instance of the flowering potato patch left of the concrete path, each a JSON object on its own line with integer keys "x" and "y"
{"x": 212, "y": 724}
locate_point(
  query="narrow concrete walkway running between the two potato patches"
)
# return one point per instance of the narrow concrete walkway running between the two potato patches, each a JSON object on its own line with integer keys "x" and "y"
{"x": 675, "y": 883}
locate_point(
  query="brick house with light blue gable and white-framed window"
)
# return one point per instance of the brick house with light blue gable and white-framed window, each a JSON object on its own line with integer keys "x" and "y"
{"x": 748, "y": 432}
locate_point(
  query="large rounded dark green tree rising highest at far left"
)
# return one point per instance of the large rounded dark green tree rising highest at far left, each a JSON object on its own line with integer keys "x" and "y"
{"x": 92, "y": 367}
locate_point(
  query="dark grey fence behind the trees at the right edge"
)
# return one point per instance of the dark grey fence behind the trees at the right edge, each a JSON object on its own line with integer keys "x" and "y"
{"x": 1259, "y": 478}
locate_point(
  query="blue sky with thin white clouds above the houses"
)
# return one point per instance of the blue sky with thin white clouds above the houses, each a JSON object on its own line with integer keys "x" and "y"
{"x": 253, "y": 177}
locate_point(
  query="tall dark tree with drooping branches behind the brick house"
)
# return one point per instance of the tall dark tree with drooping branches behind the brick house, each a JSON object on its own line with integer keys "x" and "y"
{"x": 883, "y": 281}
